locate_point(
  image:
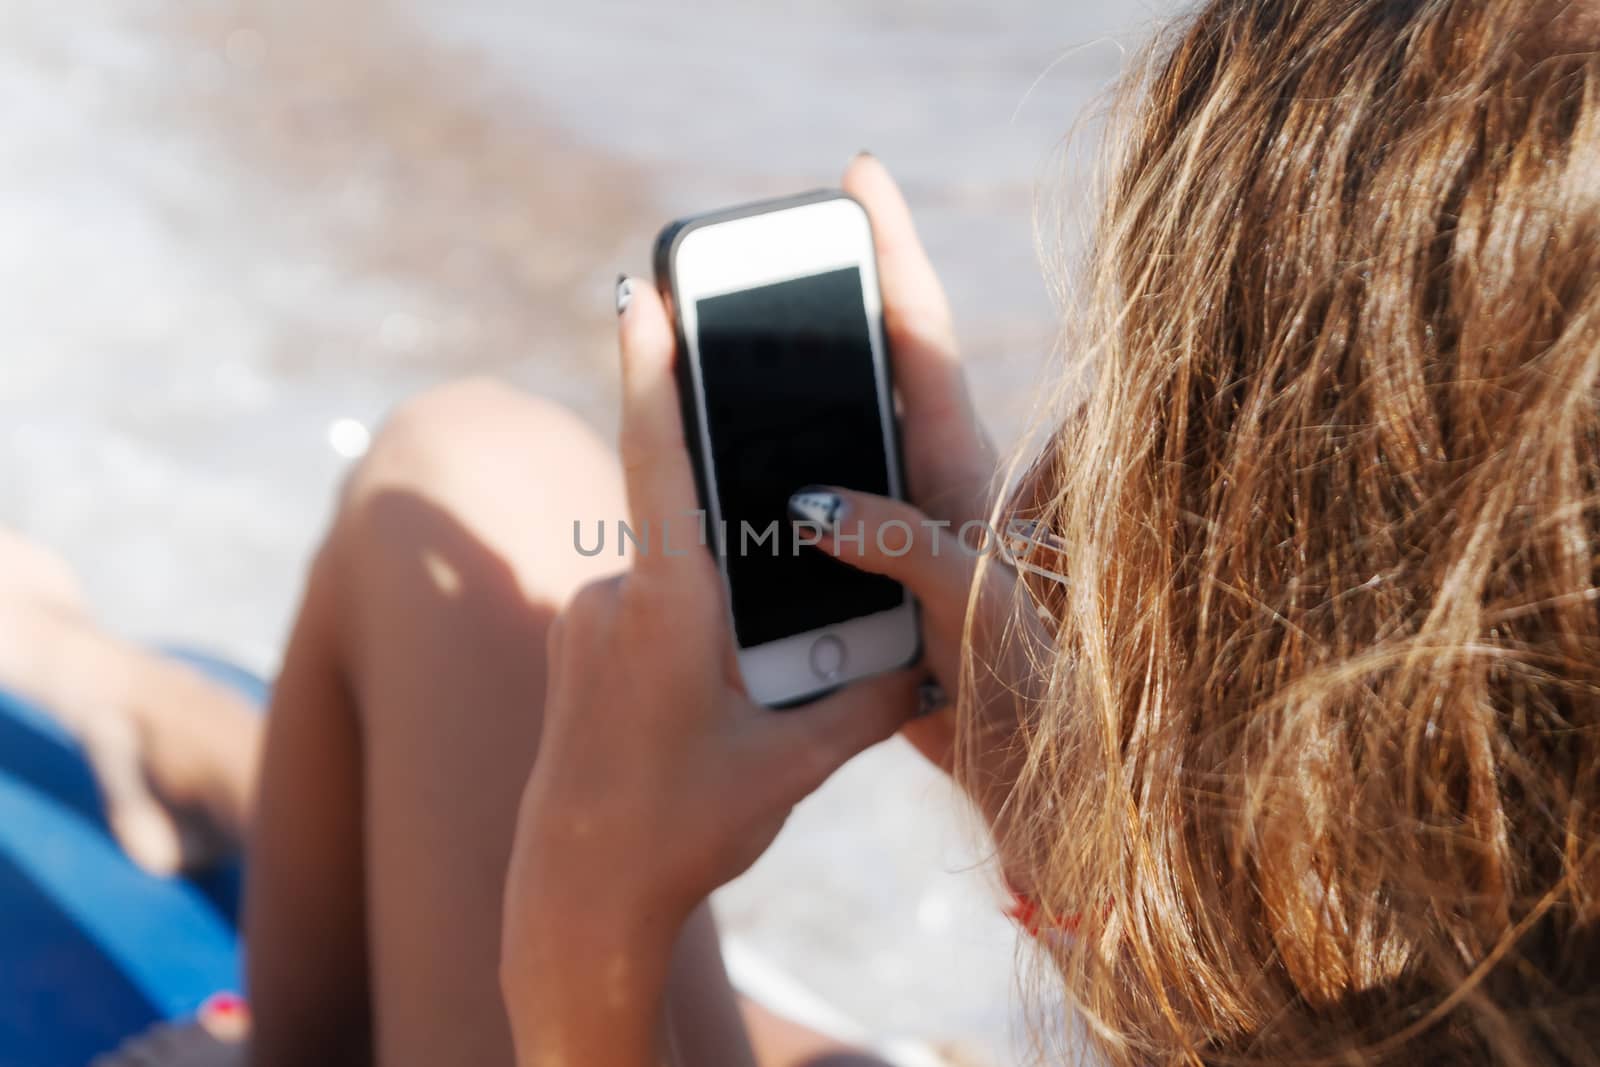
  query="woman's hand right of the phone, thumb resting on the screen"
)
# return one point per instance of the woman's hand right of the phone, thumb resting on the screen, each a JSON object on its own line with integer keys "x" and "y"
{"x": 953, "y": 473}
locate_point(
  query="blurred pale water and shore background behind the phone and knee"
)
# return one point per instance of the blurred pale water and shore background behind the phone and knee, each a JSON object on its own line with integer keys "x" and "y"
{"x": 230, "y": 226}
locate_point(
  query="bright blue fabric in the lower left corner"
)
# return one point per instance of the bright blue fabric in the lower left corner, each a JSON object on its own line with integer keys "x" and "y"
{"x": 94, "y": 949}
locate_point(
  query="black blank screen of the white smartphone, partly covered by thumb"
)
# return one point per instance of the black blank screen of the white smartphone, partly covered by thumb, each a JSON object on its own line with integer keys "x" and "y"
{"x": 791, "y": 401}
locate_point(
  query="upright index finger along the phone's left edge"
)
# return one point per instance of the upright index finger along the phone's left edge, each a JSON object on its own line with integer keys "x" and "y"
{"x": 655, "y": 460}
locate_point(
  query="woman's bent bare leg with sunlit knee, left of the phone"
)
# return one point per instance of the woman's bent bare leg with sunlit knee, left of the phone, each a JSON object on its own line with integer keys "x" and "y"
{"x": 404, "y": 729}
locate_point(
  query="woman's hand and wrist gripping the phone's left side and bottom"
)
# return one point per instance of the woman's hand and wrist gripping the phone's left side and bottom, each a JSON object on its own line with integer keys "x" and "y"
{"x": 658, "y": 780}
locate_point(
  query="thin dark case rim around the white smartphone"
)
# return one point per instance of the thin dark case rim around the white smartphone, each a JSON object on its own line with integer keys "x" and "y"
{"x": 668, "y": 284}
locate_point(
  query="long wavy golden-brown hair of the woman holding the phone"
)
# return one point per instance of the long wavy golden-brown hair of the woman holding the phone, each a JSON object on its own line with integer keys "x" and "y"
{"x": 1319, "y": 764}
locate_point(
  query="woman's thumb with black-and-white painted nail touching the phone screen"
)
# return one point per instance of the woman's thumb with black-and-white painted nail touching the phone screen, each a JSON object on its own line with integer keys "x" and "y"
{"x": 886, "y": 537}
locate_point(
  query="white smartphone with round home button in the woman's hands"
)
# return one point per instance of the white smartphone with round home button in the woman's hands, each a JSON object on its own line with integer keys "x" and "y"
{"x": 786, "y": 383}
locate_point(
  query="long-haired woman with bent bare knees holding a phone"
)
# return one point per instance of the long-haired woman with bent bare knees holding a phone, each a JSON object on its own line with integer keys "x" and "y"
{"x": 1298, "y": 764}
